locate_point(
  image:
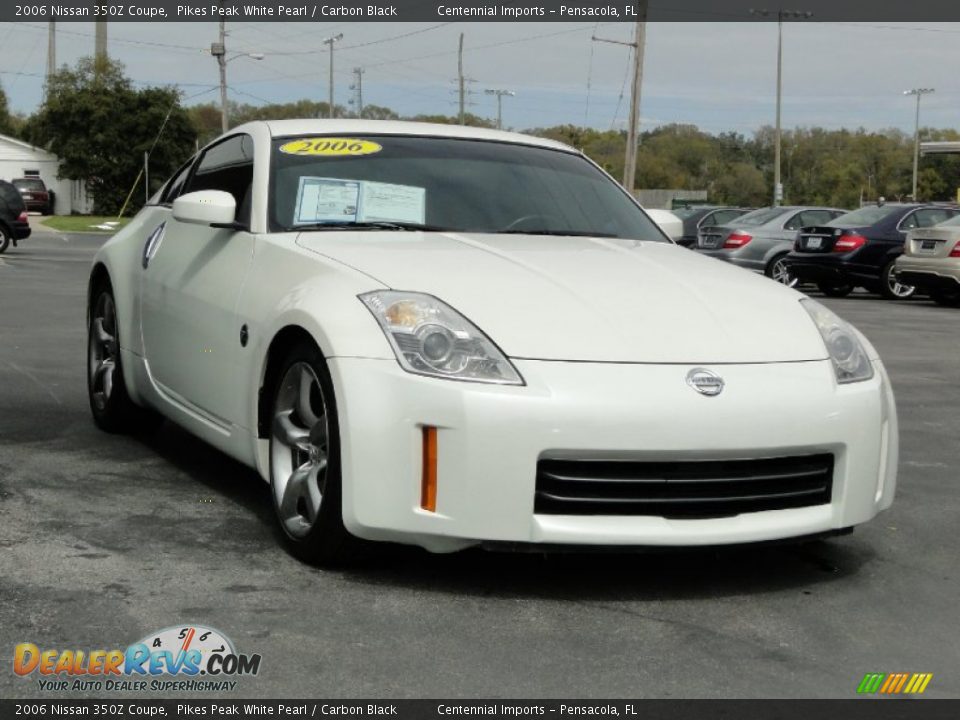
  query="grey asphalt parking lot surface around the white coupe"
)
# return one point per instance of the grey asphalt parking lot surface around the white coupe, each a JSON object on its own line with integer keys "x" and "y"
{"x": 104, "y": 539}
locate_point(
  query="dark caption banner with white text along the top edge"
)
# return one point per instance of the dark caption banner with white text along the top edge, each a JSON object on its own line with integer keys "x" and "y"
{"x": 472, "y": 10}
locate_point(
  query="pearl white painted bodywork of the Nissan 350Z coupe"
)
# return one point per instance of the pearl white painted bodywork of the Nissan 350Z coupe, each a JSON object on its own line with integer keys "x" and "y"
{"x": 603, "y": 332}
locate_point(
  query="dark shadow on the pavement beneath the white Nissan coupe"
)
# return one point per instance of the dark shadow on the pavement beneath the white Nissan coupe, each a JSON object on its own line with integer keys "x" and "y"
{"x": 605, "y": 575}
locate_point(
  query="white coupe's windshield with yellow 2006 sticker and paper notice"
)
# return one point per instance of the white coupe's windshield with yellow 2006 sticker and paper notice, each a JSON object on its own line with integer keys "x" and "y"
{"x": 402, "y": 182}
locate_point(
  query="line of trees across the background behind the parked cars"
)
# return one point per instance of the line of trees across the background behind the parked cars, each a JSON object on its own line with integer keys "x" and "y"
{"x": 100, "y": 125}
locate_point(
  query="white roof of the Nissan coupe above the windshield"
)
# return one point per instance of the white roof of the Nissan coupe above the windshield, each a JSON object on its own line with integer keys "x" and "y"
{"x": 288, "y": 128}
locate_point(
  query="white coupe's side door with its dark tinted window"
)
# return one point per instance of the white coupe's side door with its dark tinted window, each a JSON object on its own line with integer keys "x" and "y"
{"x": 191, "y": 282}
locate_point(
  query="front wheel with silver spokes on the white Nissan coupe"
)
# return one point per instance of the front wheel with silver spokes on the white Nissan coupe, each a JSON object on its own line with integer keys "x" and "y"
{"x": 322, "y": 539}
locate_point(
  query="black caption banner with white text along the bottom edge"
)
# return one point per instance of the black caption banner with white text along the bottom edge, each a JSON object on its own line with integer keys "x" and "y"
{"x": 864, "y": 709}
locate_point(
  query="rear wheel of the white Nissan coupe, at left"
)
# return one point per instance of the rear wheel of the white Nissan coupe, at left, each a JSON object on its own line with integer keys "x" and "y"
{"x": 113, "y": 410}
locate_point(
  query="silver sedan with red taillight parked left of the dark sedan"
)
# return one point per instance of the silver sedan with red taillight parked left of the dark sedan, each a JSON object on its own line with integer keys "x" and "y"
{"x": 761, "y": 239}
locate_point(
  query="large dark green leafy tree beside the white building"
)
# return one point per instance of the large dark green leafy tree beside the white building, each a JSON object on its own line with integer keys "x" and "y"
{"x": 100, "y": 126}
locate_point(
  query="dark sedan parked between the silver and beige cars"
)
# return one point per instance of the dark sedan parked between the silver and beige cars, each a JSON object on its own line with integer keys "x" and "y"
{"x": 859, "y": 249}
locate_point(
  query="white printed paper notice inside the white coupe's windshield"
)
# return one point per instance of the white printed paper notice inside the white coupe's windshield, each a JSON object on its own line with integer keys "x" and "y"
{"x": 321, "y": 200}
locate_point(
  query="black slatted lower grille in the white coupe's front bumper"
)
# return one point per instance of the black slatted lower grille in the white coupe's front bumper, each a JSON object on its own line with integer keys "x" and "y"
{"x": 693, "y": 489}
